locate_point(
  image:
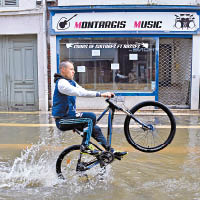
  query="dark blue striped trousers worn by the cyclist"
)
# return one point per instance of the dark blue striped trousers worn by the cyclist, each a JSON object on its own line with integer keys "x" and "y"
{"x": 96, "y": 130}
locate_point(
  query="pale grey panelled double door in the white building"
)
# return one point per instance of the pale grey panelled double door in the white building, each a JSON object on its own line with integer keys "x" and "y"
{"x": 19, "y": 67}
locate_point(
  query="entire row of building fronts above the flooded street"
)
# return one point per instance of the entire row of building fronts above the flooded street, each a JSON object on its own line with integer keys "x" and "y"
{"x": 139, "y": 49}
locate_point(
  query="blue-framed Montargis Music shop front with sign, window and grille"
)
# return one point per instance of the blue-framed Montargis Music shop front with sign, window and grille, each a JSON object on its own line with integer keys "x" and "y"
{"x": 139, "y": 53}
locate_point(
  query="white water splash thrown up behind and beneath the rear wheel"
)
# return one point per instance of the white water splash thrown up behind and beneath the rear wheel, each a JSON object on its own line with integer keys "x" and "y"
{"x": 35, "y": 168}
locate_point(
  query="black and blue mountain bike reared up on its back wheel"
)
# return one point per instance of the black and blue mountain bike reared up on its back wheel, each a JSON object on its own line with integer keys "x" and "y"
{"x": 146, "y": 133}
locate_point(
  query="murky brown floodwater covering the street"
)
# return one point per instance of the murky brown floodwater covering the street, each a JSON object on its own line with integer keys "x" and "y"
{"x": 29, "y": 148}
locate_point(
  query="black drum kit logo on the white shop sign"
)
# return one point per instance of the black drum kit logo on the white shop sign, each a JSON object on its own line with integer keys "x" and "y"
{"x": 184, "y": 21}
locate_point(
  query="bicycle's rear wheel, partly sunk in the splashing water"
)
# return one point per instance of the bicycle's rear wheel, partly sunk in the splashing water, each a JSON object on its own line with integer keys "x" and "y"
{"x": 66, "y": 165}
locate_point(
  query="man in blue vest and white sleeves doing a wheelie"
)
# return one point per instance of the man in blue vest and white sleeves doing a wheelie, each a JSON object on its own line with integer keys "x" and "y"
{"x": 64, "y": 108}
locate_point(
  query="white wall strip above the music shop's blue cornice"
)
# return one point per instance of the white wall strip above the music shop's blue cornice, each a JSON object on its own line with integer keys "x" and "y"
{"x": 127, "y": 2}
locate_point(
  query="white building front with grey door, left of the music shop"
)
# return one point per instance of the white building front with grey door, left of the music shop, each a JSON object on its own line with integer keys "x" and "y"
{"x": 23, "y": 55}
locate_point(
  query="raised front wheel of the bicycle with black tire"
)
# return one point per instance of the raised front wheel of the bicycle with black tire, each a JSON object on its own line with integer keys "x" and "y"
{"x": 135, "y": 133}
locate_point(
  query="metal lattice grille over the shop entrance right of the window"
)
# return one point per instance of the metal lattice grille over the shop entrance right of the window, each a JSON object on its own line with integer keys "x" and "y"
{"x": 175, "y": 61}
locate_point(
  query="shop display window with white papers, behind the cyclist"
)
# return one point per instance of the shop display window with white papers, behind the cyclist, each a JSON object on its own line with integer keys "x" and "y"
{"x": 125, "y": 64}
